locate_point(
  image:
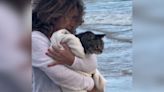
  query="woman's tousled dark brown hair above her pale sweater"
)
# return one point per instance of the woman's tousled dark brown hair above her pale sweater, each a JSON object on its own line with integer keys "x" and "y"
{"x": 47, "y": 12}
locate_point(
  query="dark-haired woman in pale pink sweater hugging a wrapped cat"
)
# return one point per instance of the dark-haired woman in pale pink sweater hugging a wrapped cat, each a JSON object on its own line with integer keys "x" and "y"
{"x": 50, "y": 16}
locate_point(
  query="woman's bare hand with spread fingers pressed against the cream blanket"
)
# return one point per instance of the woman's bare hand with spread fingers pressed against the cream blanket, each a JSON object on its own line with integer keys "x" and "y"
{"x": 61, "y": 56}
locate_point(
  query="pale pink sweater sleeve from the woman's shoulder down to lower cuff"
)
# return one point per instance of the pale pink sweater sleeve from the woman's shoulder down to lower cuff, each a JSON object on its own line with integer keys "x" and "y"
{"x": 59, "y": 74}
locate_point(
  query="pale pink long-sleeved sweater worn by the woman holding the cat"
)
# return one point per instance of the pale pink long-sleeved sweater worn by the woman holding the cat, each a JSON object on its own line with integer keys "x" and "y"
{"x": 47, "y": 79}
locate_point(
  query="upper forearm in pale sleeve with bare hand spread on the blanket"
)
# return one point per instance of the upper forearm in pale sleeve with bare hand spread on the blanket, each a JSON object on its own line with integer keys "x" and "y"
{"x": 88, "y": 64}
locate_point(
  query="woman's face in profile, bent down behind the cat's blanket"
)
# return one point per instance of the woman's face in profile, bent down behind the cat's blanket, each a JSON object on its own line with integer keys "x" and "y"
{"x": 71, "y": 21}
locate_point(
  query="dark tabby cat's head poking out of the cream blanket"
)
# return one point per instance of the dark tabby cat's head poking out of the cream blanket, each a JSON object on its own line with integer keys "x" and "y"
{"x": 92, "y": 43}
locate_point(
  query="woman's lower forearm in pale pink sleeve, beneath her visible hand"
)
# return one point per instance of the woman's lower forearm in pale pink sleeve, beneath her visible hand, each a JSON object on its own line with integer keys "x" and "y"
{"x": 68, "y": 78}
